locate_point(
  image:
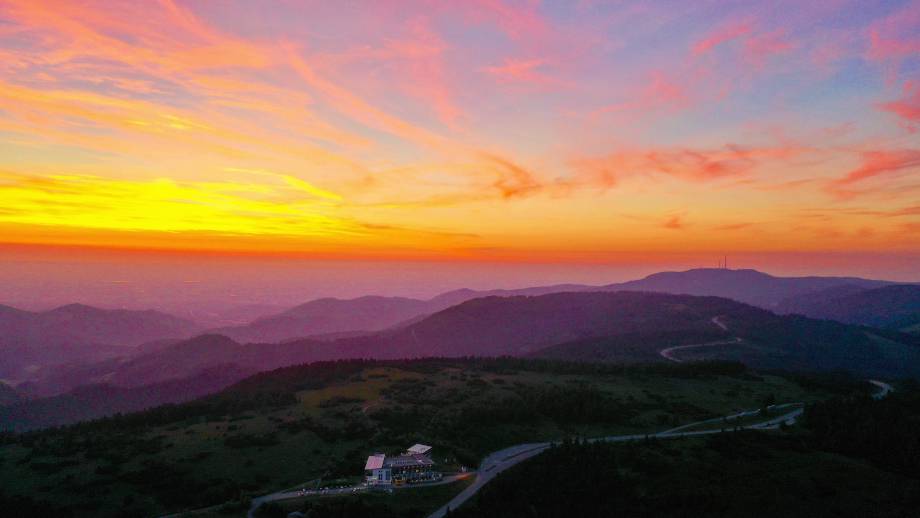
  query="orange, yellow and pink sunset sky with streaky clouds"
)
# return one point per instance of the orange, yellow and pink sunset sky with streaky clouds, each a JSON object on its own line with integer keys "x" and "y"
{"x": 481, "y": 130}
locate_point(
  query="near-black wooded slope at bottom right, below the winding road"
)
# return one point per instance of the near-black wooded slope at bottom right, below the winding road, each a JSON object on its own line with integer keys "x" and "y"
{"x": 815, "y": 471}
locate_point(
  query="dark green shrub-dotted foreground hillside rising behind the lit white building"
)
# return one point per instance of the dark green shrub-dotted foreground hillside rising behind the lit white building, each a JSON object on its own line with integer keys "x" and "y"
{"x": 465, "y": 407}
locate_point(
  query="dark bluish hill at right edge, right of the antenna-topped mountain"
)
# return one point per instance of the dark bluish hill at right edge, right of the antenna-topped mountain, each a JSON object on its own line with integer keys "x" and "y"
{"x": 893, "y": 307}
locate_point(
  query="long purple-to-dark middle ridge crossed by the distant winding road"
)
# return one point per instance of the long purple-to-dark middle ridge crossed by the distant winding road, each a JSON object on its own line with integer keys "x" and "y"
{"x": 623, "y": 326}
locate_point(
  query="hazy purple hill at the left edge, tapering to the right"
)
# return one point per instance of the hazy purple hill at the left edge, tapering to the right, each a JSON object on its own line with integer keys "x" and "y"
{"x": 31, "y": 340}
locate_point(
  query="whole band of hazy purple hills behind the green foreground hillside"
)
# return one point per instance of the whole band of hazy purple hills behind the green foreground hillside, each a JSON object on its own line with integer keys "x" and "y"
{"x": 134, "y": 353}
